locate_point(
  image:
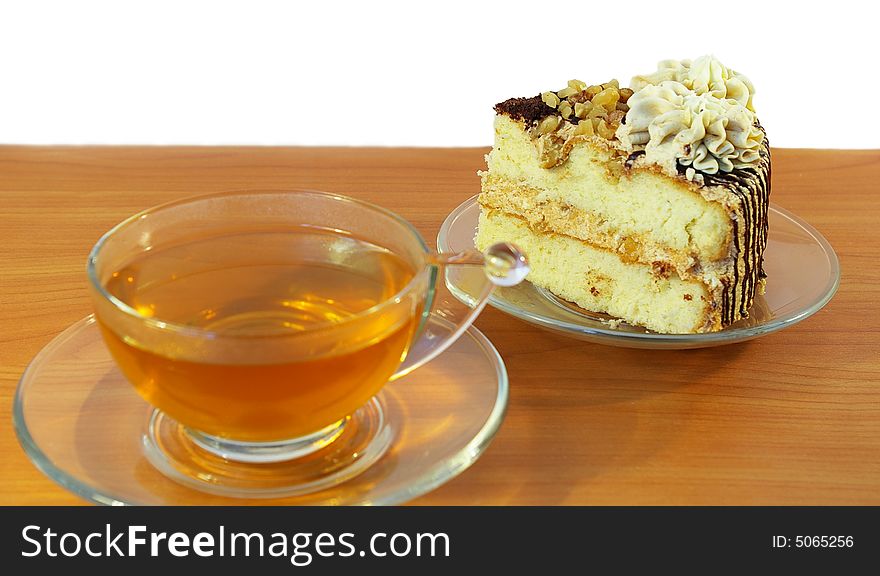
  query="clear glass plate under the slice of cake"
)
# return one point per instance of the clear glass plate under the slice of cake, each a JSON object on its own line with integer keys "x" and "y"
{"x": 802, "y": 275}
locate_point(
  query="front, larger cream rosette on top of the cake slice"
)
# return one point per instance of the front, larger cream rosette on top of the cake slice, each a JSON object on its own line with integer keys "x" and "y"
{"x": 674, "y": 124}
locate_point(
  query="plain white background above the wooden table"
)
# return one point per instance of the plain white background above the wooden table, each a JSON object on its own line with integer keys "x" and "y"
{"x": 407, "y": 73}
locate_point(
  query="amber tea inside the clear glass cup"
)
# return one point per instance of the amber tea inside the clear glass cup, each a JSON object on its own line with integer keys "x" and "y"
{"x": 302, "y": 300}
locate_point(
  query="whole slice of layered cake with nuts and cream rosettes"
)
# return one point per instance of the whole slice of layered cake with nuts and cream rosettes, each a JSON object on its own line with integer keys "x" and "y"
{"x": 646, "y": 203}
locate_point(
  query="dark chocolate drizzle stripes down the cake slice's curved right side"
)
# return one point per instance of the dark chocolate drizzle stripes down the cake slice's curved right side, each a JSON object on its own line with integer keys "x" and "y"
{"x": 751, "y": 186}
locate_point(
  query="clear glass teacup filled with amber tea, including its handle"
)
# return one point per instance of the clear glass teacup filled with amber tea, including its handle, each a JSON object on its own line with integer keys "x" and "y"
{"x": 261, "y": 326}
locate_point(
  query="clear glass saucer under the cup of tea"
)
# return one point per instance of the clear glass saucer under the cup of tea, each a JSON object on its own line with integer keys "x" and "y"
{"x": 84, "y": 425}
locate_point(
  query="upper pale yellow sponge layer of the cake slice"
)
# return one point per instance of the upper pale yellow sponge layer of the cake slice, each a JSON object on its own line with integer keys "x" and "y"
{"x": 668, "y": 218}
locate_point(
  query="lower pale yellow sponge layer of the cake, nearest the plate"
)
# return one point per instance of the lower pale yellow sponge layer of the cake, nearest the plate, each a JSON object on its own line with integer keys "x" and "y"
{"x": 599, "y": 280}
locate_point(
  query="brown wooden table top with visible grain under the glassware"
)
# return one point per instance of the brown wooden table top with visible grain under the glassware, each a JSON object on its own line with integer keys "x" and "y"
{"x": 791, "y": 418}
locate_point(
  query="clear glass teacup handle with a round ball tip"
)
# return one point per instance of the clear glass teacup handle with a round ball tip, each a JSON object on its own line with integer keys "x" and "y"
{"x": 459, "y": 288}
